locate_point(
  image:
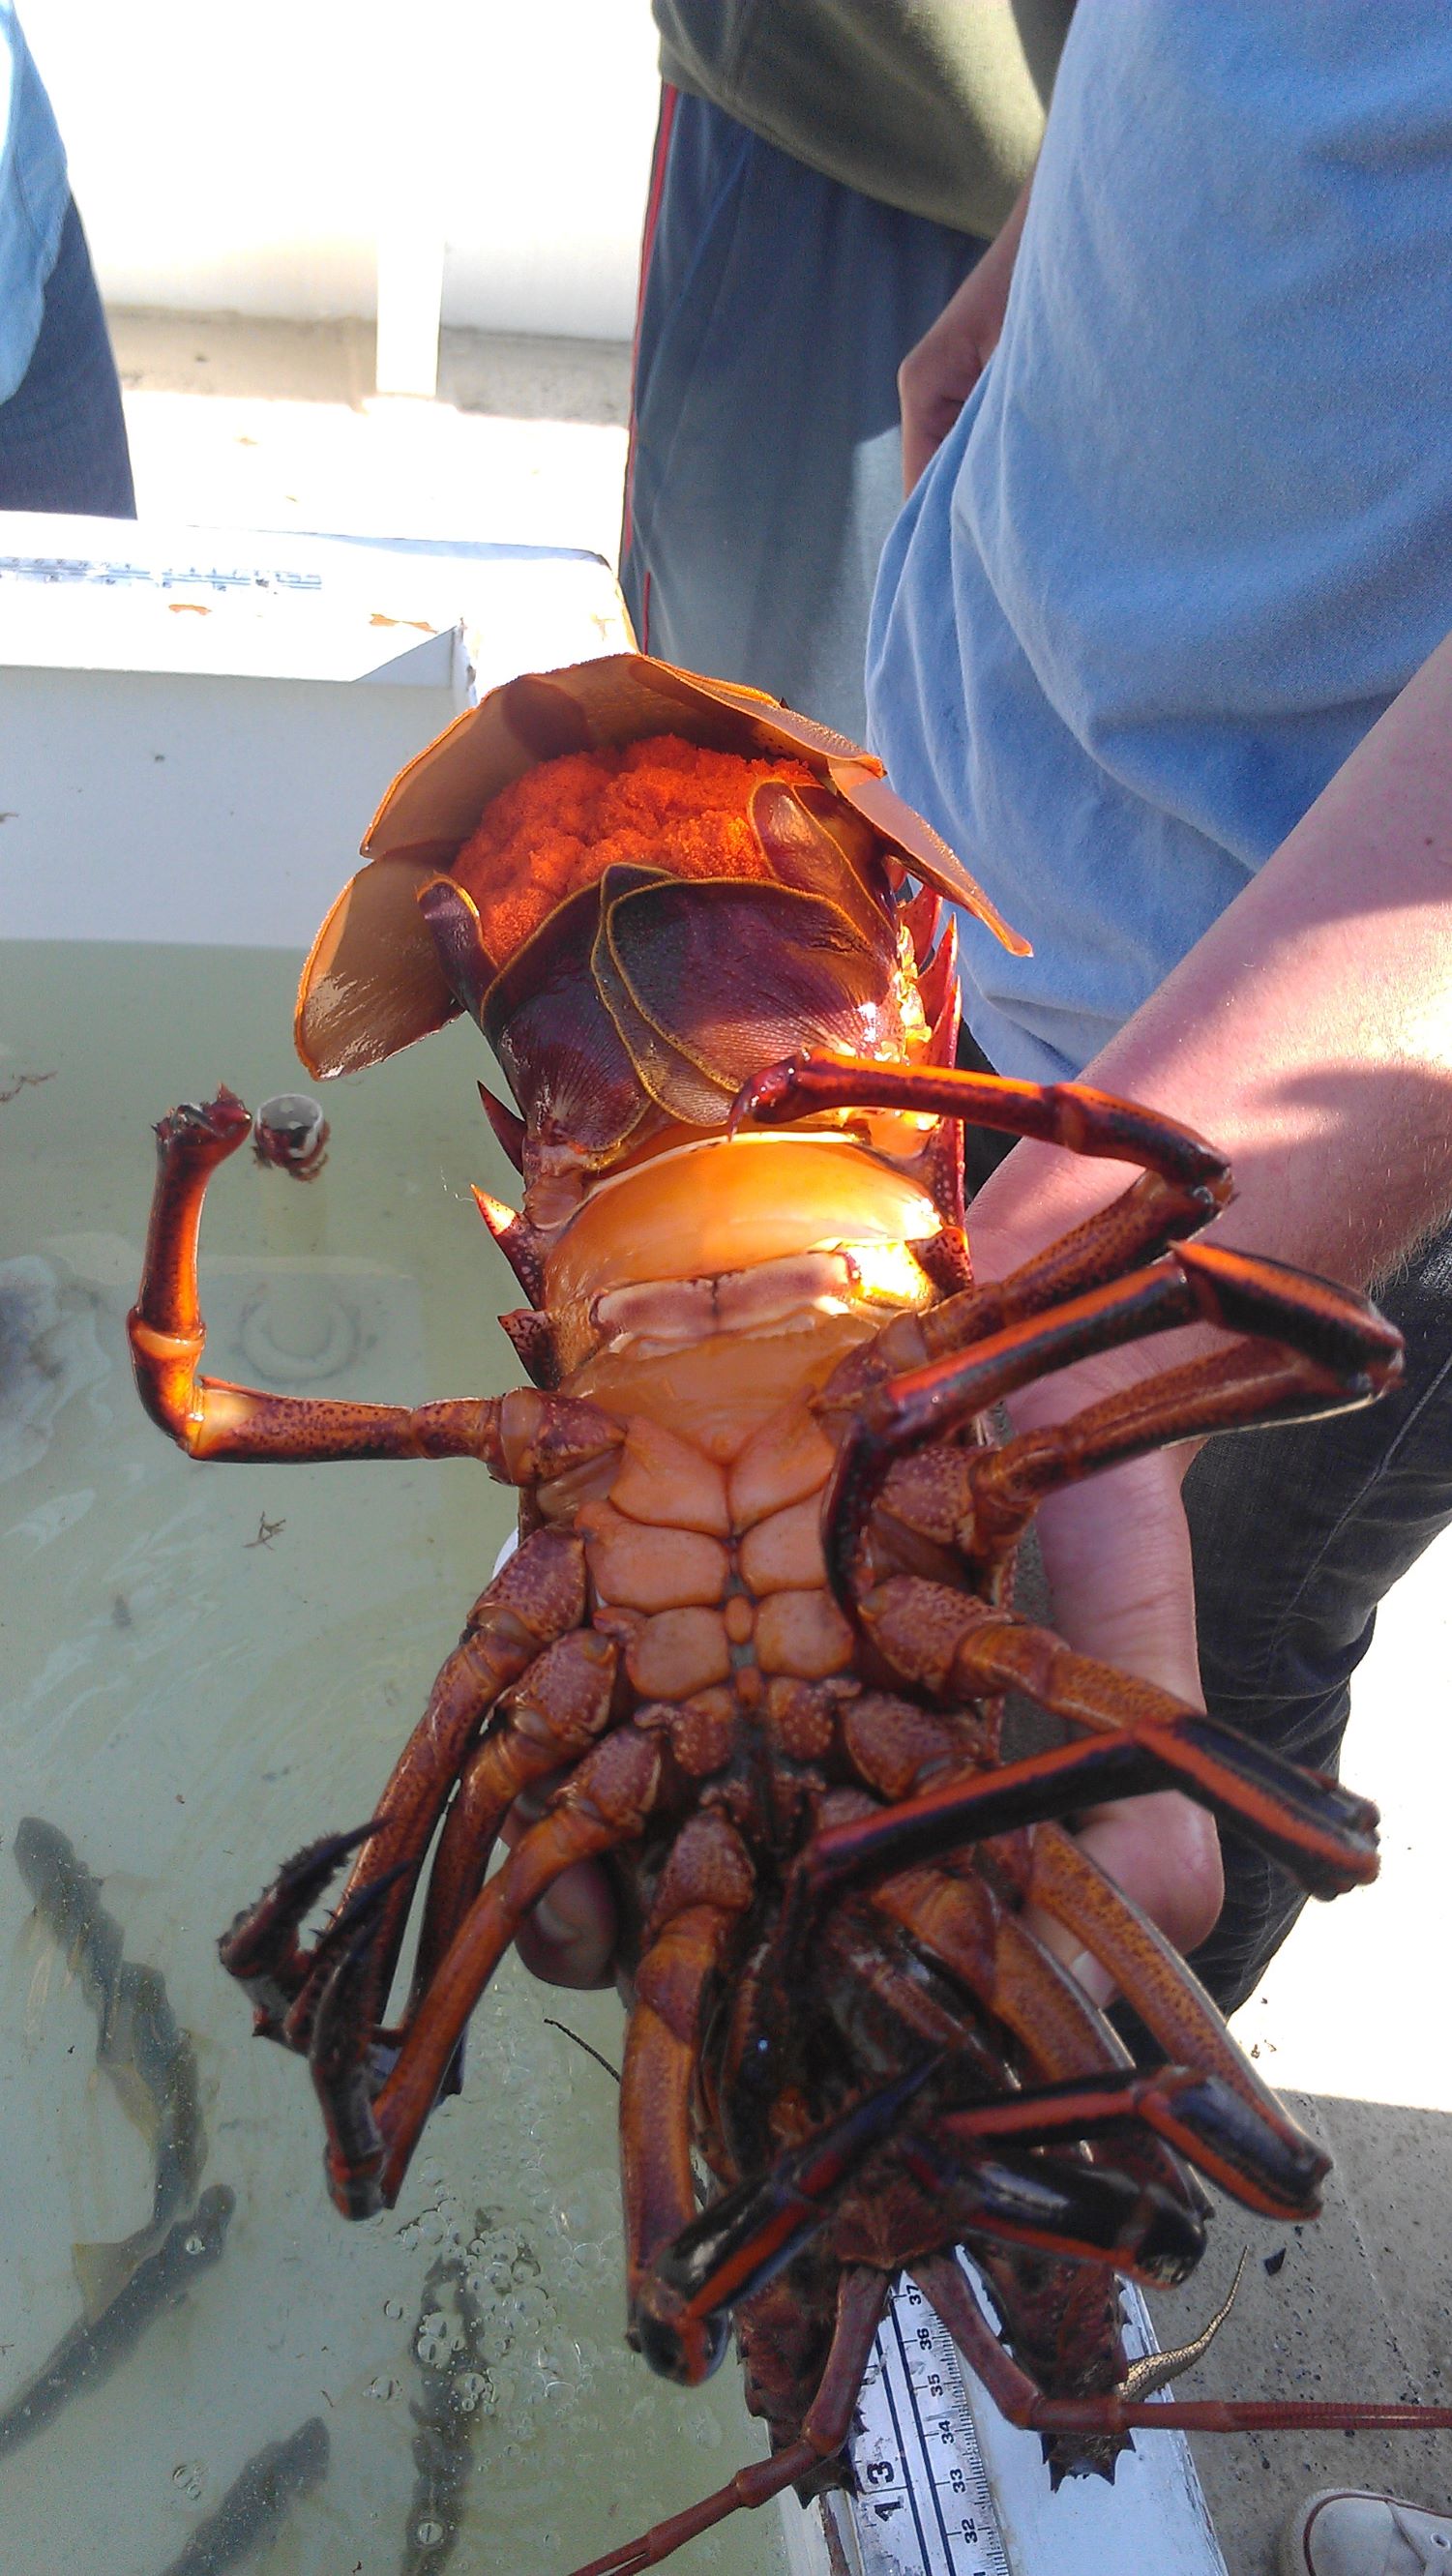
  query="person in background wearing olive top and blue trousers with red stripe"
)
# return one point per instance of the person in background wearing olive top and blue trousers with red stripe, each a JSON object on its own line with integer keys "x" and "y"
{"x": 825, "y": 176}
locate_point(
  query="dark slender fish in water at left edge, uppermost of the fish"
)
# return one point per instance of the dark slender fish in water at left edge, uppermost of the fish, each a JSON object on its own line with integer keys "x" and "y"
{"x": 140, "y": 2047}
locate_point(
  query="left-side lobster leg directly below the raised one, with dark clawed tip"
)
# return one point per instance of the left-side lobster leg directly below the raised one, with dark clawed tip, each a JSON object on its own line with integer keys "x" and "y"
{"x": 534, "y": 1598}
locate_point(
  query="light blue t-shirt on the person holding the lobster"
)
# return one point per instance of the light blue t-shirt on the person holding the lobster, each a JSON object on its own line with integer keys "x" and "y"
{"x": 1196, "y": 527}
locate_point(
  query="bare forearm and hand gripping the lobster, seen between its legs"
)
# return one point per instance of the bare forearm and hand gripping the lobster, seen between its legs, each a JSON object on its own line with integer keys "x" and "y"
{"x": 1309, "y": 1034}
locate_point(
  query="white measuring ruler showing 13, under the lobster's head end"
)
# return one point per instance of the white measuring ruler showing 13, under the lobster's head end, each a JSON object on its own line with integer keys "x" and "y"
{"x": 949, "y": 2490}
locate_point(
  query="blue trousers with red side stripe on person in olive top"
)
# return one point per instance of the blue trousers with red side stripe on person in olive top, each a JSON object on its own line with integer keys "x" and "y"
{"x": 766, "y": 452}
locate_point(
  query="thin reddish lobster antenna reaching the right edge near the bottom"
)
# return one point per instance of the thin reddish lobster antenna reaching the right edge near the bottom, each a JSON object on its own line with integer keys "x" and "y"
{"x": 1023, "y": 2402}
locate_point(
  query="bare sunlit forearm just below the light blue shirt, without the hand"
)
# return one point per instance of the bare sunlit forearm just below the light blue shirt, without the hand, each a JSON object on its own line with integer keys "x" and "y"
{"x": 1312, "y": 1029}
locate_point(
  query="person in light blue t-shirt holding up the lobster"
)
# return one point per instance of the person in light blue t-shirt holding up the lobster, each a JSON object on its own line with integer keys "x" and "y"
{"x": 1162, "y": 645}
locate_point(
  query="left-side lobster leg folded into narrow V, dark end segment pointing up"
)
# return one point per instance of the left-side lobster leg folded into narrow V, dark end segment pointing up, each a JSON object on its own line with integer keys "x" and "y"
{"x": 372, "y": 2129}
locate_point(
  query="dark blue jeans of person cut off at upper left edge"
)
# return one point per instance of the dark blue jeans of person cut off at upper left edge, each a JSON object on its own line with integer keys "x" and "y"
{"x": 63, "y": 437}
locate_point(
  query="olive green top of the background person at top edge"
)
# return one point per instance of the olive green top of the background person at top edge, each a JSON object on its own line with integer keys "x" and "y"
{"x": 926, "y": 104}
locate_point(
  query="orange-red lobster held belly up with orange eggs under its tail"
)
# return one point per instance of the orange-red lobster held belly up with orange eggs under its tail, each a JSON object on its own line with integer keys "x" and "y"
{"x": 761, "y": 1627}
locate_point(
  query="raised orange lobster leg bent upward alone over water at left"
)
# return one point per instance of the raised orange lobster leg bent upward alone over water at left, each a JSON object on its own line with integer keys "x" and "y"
{"x": 521, "y": 1439}
